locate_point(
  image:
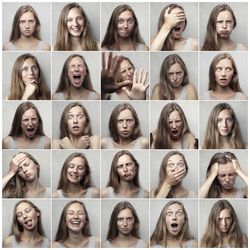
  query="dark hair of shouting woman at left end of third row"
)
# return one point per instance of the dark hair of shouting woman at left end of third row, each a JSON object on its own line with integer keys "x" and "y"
{"x": 16, "y": 129}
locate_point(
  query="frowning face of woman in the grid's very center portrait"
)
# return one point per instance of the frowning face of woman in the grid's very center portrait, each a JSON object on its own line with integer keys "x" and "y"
{"x": 125, "y": 124}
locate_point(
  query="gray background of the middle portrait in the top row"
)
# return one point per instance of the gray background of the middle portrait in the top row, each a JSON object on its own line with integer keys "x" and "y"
{"x": 141, "y": 11}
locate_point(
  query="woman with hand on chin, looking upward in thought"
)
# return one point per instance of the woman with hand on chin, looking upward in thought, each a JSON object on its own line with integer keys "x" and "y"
{"x": 27, "y": 82}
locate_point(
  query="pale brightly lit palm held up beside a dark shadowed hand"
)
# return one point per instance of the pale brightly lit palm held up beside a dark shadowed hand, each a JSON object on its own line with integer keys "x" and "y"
{"x": 139, "y": 87}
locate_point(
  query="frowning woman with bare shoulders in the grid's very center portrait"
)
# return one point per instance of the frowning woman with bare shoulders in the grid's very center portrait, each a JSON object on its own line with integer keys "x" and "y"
{"x": 124, "y": 128}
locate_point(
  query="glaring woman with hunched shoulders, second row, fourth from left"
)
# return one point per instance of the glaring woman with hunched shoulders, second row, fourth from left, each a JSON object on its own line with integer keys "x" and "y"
{"x": 174, "y": 83}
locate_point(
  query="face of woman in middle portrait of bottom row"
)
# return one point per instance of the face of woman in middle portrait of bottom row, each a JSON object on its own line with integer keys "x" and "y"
{"x": 125, "y": 221}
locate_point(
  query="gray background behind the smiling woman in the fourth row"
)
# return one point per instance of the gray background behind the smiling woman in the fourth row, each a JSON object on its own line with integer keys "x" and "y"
{"x": 59, "y": 157}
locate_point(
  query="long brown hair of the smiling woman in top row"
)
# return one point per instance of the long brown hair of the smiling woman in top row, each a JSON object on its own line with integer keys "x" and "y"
{"x": 63, "y": 41}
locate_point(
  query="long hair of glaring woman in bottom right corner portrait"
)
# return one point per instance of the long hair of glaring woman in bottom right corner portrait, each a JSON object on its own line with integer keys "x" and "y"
{"x": 213, "y": 236}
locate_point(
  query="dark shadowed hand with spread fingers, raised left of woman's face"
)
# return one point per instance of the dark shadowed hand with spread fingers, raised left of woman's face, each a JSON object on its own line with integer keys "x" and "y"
{"x": 108, "y": 83}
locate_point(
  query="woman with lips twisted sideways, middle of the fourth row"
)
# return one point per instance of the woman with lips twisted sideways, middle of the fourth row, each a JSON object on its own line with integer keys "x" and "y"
{"x": 124, "y": 178}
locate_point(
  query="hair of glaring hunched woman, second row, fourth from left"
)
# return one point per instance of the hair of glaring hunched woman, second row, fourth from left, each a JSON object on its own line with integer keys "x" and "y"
{"x": 166, "y": 90}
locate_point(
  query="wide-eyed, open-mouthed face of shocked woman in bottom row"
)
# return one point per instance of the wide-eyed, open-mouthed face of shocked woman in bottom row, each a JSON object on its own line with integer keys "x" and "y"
{"x": 175, "y": 219}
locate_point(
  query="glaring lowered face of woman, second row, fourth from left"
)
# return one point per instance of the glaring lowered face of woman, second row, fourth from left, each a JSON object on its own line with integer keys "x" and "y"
{"x": 176, "y": 75}
